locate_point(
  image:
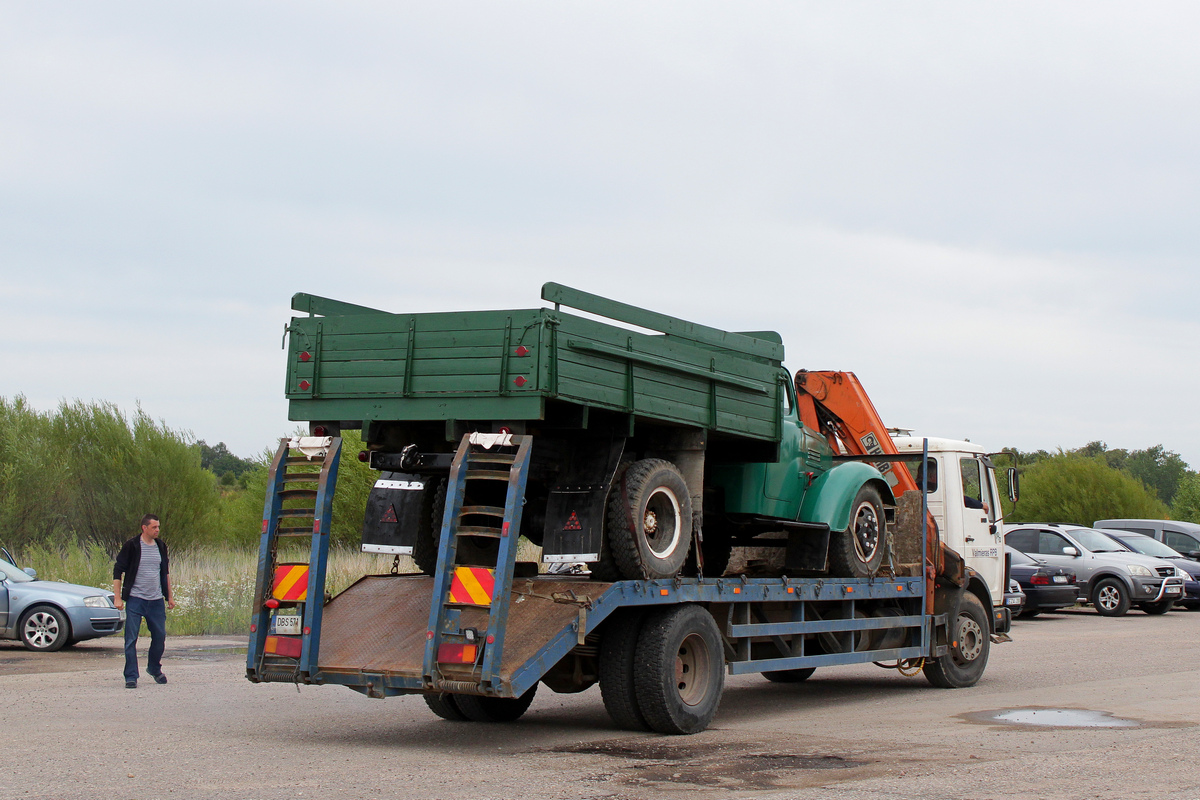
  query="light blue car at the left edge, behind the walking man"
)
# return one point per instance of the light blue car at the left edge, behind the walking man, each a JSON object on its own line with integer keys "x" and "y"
{"x": 47, "y": 615}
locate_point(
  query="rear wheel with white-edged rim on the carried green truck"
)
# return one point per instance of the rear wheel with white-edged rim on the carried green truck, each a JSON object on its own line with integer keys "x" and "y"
{"x": 649, "y": 521}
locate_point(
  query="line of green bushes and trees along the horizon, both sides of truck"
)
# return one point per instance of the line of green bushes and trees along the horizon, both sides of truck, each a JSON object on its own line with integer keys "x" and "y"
{"x": 87, "y": 472}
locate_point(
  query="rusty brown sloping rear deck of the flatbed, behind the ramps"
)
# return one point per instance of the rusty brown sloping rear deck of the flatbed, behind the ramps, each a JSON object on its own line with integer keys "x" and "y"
{"x": 379, "y": 624}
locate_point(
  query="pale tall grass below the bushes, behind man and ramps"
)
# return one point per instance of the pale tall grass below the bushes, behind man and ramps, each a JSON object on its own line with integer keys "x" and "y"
{"x": 214, "y": 587}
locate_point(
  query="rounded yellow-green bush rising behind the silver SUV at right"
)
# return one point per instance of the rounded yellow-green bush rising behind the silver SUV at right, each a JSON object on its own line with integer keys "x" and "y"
{"x": 1079, "y": 491}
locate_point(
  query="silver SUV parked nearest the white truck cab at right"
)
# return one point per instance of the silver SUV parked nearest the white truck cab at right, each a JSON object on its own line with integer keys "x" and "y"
{"x": 1112, "y": 578}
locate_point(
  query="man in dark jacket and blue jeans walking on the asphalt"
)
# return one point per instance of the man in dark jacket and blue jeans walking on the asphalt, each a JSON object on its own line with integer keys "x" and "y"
{"x": 147, "y": 594}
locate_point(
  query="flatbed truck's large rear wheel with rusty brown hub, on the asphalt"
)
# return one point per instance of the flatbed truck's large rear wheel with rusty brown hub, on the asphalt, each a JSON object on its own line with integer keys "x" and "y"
{"x": 681, "y": 670}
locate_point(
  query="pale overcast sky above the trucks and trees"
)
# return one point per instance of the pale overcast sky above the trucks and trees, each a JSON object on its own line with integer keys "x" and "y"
{"x": 987, "y": 212}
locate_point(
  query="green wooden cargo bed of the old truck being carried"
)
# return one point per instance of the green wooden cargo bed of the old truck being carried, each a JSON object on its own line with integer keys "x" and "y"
{"x": 356, "y": 365}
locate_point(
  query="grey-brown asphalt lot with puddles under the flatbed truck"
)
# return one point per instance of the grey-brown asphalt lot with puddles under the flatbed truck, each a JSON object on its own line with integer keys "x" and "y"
{"x": 74, "y": 731}
